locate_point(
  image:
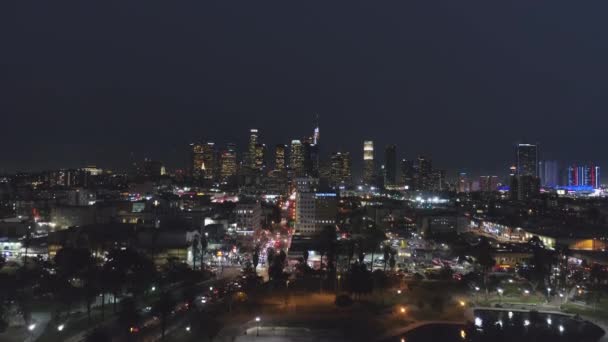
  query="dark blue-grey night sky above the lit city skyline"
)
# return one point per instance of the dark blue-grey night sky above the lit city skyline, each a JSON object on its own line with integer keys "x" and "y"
{"x": 460, "y": 81}
